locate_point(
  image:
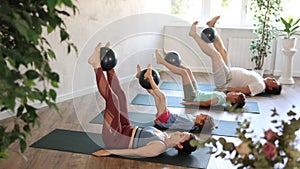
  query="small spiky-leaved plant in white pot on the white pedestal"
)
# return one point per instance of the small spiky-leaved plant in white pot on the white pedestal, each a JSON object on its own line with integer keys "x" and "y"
{"x": 290, "y": 30}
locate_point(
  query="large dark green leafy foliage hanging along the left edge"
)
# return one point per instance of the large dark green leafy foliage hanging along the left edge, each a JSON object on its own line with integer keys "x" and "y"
{"x": 25, "y": 73}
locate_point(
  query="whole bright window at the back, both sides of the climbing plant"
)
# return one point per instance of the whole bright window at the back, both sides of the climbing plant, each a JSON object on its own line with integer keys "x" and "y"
{"x": 233, "y": 12}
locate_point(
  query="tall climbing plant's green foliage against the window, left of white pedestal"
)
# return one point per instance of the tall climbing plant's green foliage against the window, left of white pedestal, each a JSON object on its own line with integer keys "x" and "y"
{"x": 266, "y": 14}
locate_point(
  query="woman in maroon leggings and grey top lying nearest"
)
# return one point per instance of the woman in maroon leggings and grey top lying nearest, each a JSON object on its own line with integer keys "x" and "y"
{"x": 119, "y": 137}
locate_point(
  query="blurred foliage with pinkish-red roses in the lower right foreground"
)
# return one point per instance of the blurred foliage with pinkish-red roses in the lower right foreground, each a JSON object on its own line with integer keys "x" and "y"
{"x": 277, "y": 148}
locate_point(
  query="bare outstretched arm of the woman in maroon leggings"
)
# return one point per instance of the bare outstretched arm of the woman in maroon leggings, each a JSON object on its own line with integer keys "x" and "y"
{"x": 153, "y": 149}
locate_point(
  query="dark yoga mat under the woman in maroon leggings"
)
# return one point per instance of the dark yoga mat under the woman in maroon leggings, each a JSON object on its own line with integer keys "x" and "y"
{"x": 82, "y": 142}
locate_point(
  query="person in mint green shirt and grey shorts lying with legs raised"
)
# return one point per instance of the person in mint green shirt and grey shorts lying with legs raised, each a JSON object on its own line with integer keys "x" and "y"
{"x": 194, "y": 96}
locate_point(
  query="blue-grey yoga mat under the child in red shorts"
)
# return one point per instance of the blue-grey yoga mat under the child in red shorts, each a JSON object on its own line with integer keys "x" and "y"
{"x": 225, "y": 128}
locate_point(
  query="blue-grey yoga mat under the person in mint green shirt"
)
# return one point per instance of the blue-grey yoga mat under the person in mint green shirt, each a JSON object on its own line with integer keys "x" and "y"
{"x": 175, "y": 101}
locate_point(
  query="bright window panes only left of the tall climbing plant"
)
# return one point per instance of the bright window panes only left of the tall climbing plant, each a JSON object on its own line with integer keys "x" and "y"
{"x": 233, "y": 11}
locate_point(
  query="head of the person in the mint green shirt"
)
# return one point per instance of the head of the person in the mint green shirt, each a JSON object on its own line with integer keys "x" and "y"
{"x": 236, "y": 99}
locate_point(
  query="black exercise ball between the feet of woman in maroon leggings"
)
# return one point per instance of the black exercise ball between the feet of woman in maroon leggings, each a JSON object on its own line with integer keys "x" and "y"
{"x": 108, "y": 58}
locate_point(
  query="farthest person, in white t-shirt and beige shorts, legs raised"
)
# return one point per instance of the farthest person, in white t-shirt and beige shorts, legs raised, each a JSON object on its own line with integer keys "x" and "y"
{"x": 232, "y": 78}
